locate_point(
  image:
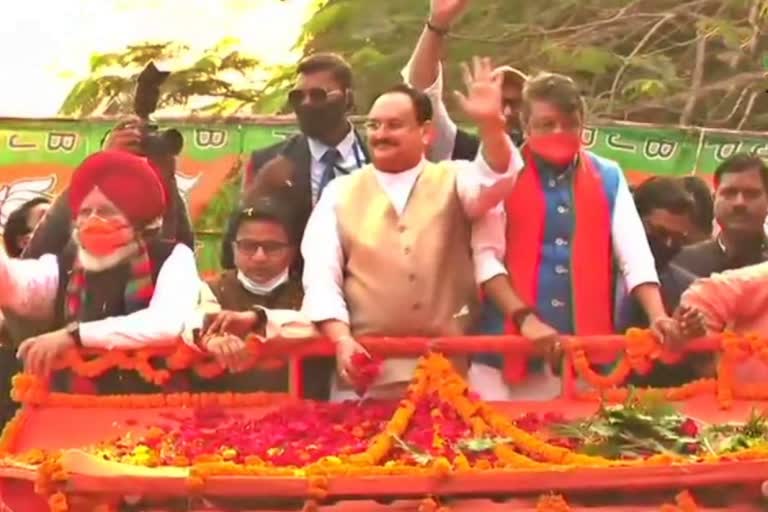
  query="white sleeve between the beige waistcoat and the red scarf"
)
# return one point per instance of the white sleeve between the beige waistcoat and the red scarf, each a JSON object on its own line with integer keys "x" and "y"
{"x": 489, "y": 244}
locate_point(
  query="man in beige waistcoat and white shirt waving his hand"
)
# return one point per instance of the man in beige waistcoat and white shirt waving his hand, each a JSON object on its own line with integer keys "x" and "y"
{"x": 388, "y": 249}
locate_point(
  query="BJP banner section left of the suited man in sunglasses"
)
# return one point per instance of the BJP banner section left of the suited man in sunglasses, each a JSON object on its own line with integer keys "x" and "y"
{"x": 37, "y": 159}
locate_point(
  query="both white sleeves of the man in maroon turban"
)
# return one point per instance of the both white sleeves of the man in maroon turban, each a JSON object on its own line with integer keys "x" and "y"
{"x": 29, "y": 289}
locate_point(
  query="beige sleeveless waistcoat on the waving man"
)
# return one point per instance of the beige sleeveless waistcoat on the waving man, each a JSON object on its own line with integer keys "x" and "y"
{"x": 409, "y": 275}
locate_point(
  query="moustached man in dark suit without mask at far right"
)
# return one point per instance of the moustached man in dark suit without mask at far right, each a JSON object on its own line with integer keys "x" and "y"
{"x": 741, "y": 206}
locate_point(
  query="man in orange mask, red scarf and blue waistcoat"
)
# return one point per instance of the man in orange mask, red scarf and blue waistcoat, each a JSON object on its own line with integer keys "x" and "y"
{"x": 549, "y": 270}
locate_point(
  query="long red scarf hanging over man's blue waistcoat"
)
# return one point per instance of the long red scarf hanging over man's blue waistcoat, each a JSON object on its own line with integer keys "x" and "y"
{"x": 591, "y": 253}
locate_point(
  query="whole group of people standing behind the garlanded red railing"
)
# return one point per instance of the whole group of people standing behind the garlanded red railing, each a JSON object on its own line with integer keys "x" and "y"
{"x": 418, "y": 228}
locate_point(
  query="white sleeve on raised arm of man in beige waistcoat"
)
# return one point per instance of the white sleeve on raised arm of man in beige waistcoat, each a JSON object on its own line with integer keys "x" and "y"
{"x": 480, "y": 188}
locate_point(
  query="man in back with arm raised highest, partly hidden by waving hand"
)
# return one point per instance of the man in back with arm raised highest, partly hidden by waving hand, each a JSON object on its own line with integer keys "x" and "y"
{"x": 424, "y": 72}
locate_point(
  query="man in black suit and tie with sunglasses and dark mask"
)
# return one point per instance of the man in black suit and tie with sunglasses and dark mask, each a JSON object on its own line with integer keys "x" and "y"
{"x": 328, "y": 145}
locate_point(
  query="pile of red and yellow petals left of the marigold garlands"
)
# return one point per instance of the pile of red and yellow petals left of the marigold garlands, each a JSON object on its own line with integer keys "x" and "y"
{"x": 294, "y": 435}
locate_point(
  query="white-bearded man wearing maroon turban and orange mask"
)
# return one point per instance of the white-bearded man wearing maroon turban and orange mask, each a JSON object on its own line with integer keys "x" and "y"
{"x": 112, "y": 288}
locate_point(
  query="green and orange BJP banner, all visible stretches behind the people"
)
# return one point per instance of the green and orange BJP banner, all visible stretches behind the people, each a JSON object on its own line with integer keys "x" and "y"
{"x": 37, "y": 157}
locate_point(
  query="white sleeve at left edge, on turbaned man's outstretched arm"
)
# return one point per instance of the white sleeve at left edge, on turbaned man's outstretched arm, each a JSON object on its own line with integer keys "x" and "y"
{"x": 28, "y": 287}
